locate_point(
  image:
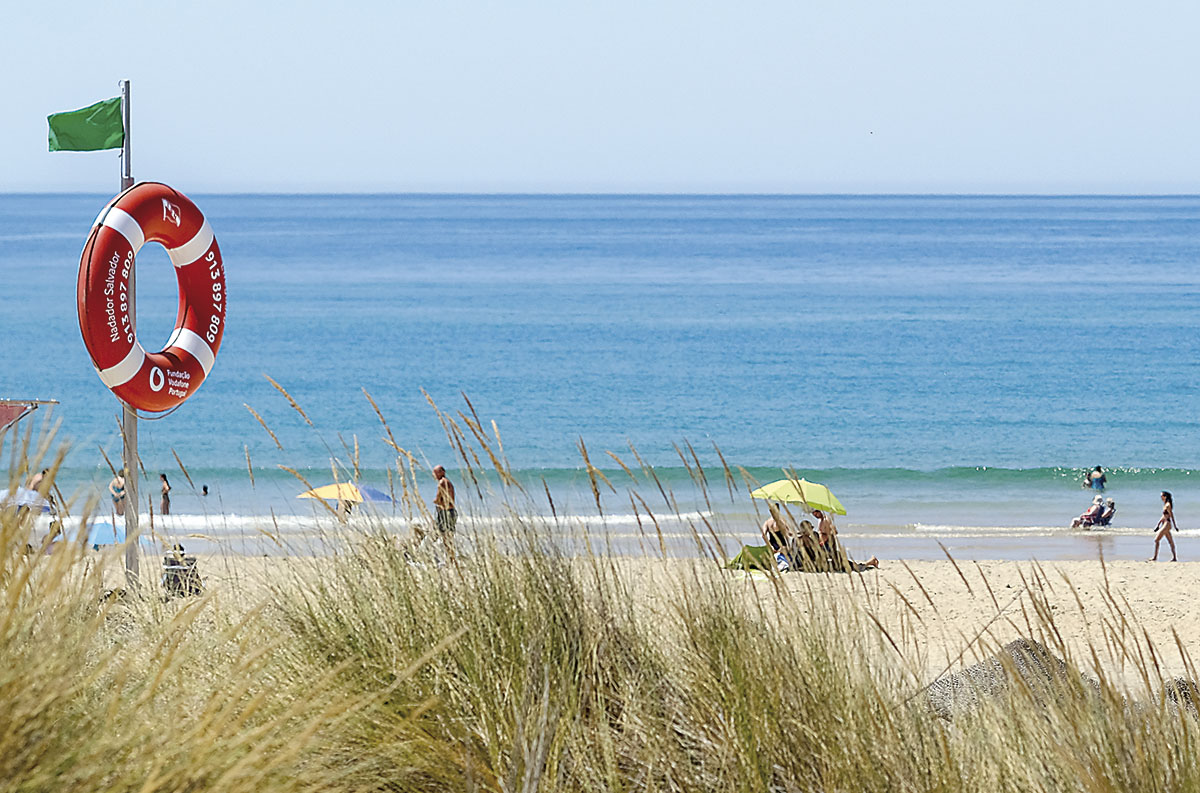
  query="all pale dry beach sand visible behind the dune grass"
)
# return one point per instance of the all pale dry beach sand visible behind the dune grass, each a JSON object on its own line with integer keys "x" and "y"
{"x": 940, "y": 615}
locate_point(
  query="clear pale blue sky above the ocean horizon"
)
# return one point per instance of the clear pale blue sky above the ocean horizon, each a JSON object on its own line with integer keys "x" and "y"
{"x": 615, "y": 95}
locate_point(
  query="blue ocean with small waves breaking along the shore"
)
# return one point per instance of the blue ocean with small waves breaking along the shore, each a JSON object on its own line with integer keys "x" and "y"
{"x": 950, "y": 367}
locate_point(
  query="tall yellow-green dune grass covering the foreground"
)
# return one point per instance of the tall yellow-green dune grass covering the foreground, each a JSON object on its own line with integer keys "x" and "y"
{"x": 515, "y": 666}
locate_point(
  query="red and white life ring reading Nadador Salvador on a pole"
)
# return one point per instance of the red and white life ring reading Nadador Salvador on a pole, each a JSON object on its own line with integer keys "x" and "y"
{"x": 152, "y": 213}
